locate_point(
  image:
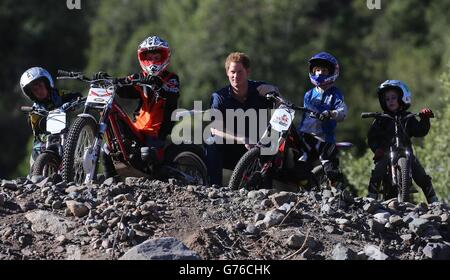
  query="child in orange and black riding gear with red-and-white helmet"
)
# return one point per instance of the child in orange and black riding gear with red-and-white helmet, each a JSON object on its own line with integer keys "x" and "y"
{"x": 153, "y": 114}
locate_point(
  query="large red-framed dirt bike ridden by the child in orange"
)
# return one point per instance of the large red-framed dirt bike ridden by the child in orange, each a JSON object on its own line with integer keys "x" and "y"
{"x": 103, "y": 118}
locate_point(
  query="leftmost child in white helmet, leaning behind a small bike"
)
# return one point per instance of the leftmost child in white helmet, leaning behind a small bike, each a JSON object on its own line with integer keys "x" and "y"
{"x": 37, "y": 85}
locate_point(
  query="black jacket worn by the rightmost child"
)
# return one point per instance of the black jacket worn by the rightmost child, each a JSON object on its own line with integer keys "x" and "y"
{"x": 382, "y": 130}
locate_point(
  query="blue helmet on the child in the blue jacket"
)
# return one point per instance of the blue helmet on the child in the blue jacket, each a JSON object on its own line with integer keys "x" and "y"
{"x": 323, "y": 59}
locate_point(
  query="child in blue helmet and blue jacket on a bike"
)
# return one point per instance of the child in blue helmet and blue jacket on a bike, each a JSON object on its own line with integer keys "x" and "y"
{"x": 318, "y": 134}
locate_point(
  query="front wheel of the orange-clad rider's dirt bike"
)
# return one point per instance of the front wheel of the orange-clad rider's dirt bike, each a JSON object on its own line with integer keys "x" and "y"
{"x": 80, "y": 140}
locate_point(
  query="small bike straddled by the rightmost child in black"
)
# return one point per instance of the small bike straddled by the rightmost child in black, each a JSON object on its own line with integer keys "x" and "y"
{"x": 398, "y": 178}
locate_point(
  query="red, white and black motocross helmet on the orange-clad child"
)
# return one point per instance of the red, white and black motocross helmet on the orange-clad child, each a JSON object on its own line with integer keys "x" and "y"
{"x": 154, "y": 43}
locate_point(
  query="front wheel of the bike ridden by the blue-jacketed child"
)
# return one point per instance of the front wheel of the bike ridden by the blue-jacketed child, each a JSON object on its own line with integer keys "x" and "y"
{"x": 249, "y": 172}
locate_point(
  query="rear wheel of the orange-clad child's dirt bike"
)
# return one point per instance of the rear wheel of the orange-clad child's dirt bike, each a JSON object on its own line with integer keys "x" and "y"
{"x": 187, "y": 164}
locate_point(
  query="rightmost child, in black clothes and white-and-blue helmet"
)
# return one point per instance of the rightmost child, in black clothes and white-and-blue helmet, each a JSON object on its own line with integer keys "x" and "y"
{"x": 395, "y": 98}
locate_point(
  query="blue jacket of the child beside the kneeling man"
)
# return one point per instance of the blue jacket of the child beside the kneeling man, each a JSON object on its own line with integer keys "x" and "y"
{"x": 331, "y": 100}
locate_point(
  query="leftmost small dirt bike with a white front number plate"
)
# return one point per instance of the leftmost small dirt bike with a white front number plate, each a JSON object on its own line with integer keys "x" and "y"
{"x": 49, "y": 160}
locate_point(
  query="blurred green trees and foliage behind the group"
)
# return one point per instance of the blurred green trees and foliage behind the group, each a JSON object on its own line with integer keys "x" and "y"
{"x": 406, "y": 40}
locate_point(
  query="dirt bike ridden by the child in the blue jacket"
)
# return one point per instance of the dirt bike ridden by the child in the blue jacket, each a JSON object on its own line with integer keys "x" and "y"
{"x": 255, "y": 170}
